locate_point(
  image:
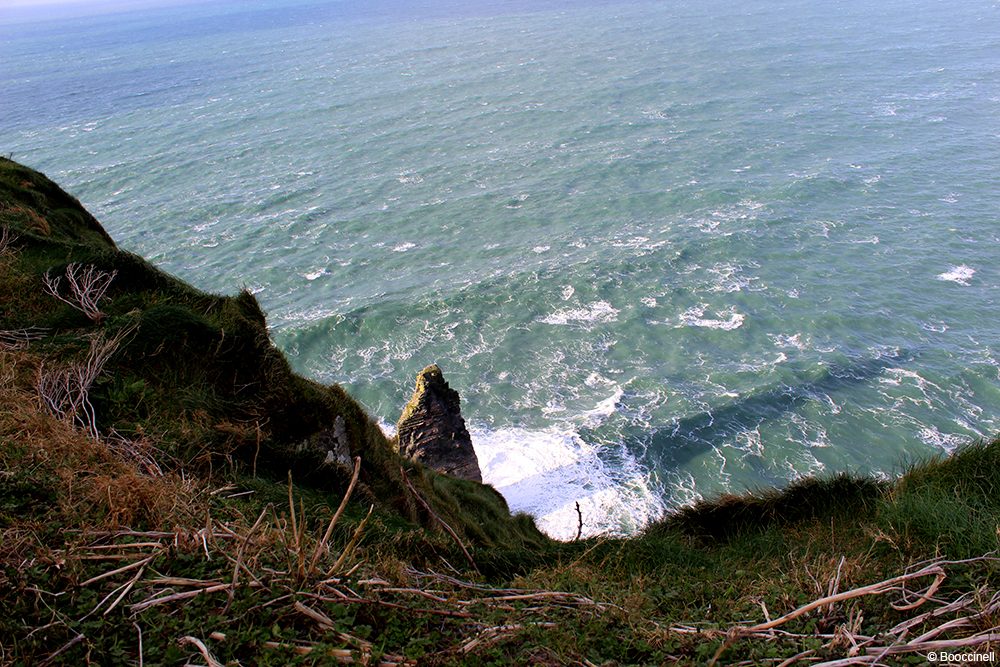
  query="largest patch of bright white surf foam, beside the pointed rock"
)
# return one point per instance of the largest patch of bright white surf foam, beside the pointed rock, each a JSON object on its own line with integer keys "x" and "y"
{"x": 545, "y": 472}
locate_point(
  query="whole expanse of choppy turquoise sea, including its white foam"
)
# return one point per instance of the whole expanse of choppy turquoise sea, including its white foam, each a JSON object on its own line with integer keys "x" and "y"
{"x": 662, "y": 249}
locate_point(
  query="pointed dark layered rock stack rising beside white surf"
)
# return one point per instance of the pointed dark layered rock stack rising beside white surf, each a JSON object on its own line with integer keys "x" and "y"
{"x": 431, "y": 429}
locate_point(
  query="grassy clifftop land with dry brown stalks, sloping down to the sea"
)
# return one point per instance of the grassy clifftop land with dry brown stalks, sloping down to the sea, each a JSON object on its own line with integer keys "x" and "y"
{"x": 176, "y": 515}
